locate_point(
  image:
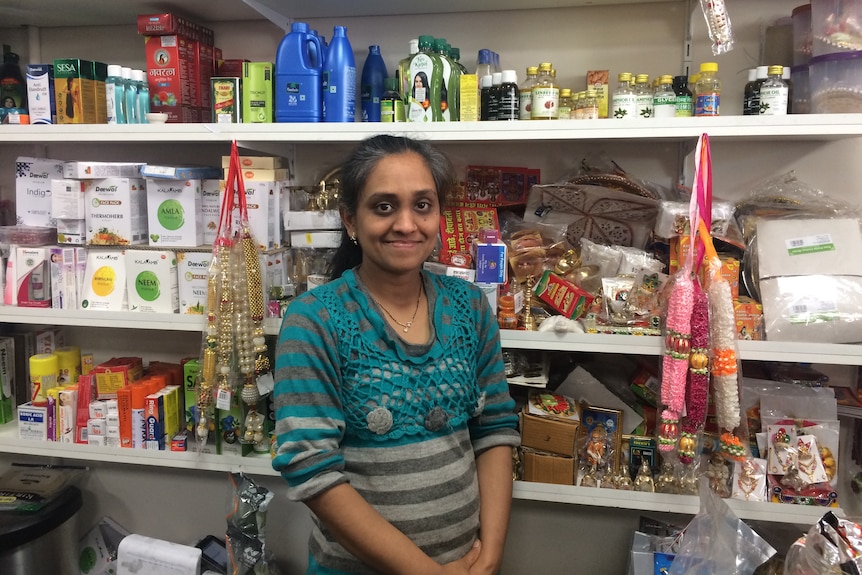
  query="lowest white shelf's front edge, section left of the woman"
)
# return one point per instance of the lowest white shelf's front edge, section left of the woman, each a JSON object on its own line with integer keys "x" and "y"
{"x": 257, "y": 464}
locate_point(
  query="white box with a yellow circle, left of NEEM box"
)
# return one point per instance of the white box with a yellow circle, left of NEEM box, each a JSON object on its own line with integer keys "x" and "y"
{"x": 105, "y": 281}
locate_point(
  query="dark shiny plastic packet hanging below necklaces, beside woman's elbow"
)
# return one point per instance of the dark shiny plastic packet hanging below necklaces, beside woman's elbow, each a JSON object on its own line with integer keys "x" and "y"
{"x": 246, "y": 522}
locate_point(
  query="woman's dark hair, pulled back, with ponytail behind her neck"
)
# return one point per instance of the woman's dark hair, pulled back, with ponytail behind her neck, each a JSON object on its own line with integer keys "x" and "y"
{"x": 355, "y": 173}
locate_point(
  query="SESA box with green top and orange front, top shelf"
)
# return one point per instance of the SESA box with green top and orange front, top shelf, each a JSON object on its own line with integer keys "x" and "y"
{"x": 75, "y": 91}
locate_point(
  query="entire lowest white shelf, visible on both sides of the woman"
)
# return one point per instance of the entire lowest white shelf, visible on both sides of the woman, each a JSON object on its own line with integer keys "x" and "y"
{"x": 261, "y": 464}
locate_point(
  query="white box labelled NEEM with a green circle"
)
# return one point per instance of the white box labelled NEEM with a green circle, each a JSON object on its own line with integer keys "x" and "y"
{"x": 151, "y": 281}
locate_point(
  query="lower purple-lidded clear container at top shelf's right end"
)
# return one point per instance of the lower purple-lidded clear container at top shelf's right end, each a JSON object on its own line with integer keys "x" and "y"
{"x": 835, "y": 83}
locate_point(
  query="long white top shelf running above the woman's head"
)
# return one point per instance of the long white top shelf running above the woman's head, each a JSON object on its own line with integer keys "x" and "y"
{"x": 725, "y": 128}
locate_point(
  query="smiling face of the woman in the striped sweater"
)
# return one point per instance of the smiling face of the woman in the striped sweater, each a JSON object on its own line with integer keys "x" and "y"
{"x": 397, "y": 216}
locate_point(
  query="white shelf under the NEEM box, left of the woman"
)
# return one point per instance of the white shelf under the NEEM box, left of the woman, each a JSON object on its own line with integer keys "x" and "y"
{"x": 113, "y": 319}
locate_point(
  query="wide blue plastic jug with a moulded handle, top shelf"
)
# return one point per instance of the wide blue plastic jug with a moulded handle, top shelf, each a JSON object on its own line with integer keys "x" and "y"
{"x": 298, "y": 72}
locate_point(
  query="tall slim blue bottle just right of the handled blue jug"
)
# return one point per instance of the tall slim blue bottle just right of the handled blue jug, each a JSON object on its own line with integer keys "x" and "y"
{"x": 339, "y": 94}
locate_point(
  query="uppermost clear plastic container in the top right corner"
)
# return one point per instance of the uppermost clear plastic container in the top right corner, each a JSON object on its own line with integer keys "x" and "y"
{"x": 835, "y": 26}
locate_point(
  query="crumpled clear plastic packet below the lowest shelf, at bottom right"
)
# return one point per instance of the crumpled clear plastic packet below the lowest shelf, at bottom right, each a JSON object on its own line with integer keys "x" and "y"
{"x": 717, "y": 541}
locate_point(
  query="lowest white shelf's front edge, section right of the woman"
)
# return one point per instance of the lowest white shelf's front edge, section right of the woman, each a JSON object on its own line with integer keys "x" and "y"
{"x": 666, "y": 503}
